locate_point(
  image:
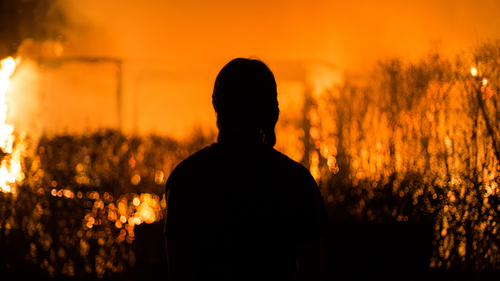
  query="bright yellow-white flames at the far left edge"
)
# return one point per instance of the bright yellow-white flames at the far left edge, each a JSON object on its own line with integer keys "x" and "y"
{"x": 10, "y": 168}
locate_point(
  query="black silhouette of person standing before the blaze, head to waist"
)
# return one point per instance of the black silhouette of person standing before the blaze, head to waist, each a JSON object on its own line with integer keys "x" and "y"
{"x": 238, "y": 209}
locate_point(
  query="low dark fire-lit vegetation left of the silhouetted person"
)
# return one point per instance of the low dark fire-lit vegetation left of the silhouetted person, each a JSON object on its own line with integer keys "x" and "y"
{"x": 45, "y": 233}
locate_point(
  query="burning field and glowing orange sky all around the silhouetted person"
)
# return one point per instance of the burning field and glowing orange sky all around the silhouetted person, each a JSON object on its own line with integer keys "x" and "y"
{"x": 96, "y": 110}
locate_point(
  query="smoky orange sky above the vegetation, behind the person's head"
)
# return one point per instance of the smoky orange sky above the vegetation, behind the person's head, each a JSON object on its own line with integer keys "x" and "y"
{"x": 172, "y": 51}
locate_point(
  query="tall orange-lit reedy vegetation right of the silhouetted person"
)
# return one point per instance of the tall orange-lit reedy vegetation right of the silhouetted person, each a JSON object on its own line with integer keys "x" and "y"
{"x": 417, "y": 141}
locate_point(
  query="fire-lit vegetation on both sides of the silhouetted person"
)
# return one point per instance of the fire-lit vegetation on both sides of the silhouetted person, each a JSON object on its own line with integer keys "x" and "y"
{"x": 410, "y": 147}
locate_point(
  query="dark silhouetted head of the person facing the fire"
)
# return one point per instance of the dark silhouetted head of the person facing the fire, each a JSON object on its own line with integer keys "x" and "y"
{"x": 246, "y": 101}
